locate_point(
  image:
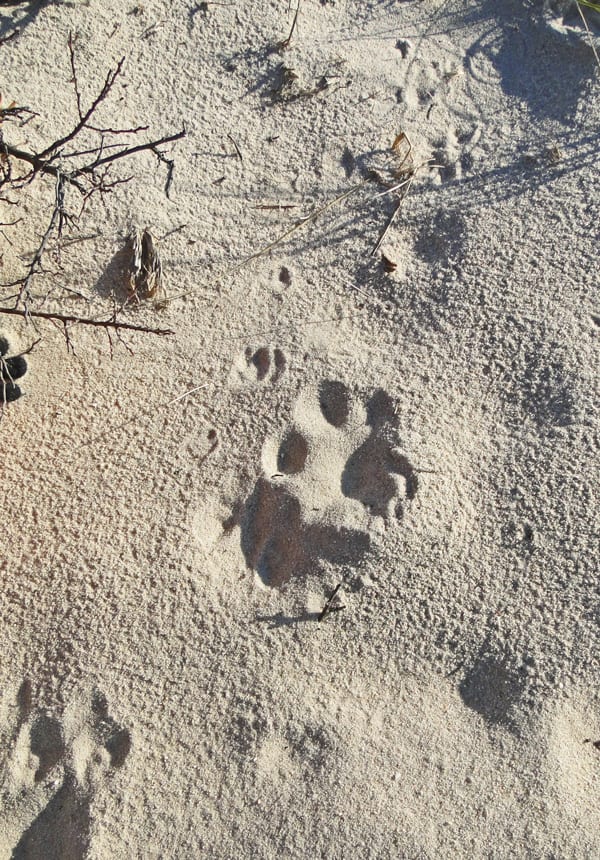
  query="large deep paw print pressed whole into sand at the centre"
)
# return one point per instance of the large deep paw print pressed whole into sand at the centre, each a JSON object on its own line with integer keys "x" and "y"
{"x": 330, "y": 482}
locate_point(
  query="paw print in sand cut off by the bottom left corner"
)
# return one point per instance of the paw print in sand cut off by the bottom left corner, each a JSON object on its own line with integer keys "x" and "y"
{"x": 51, "y": 771}
